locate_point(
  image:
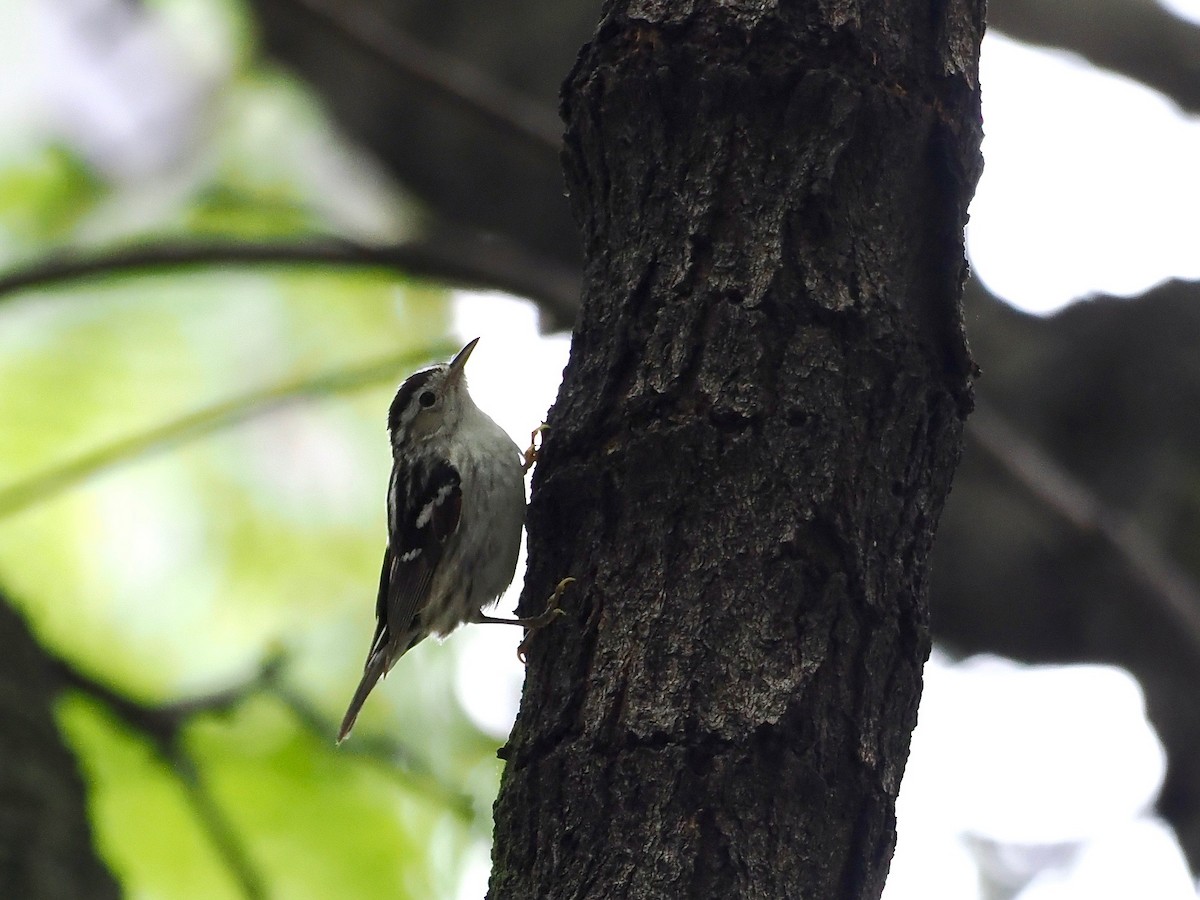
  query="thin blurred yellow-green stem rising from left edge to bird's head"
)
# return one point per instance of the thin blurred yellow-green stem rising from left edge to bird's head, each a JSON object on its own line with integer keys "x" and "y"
{"x": 39, "y": 488}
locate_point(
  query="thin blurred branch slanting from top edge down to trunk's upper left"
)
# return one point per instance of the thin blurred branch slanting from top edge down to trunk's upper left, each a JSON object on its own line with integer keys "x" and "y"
{"x": 457, "y": 82}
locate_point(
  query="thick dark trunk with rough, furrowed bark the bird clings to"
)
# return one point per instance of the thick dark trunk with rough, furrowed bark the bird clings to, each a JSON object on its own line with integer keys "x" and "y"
{"x": 751, "y": 449}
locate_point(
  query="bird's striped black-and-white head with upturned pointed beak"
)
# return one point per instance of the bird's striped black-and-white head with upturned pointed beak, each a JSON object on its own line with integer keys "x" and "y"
{"x": 433, "y": 403}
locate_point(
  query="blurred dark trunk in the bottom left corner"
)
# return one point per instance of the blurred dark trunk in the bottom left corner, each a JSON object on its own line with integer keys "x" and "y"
{"x": 45, "y": 839}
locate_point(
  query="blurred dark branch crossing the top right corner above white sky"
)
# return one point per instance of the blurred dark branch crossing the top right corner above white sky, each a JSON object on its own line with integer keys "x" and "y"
{"x": 1138, "y": 39}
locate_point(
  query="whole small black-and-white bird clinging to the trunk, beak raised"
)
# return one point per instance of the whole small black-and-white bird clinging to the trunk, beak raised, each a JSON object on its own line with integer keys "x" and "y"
{"x": 455, "y": 512}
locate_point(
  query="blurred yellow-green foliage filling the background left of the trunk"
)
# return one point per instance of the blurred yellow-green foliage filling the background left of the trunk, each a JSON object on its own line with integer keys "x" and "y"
{"x": 170, "y": 574}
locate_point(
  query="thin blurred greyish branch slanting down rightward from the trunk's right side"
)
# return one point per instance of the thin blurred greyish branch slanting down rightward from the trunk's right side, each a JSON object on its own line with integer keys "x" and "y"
{"x": 1075, "y": 502}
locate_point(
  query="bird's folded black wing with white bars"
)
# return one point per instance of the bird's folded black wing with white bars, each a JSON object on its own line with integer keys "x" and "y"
{"x": 417, "y": 537}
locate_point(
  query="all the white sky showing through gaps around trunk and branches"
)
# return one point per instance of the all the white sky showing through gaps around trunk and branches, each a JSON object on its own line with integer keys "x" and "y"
{"x": 1093, "y": 185}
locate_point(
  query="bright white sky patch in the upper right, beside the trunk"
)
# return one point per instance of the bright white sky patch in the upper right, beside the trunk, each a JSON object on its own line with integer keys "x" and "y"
{"x": 1093, "y": 182}
